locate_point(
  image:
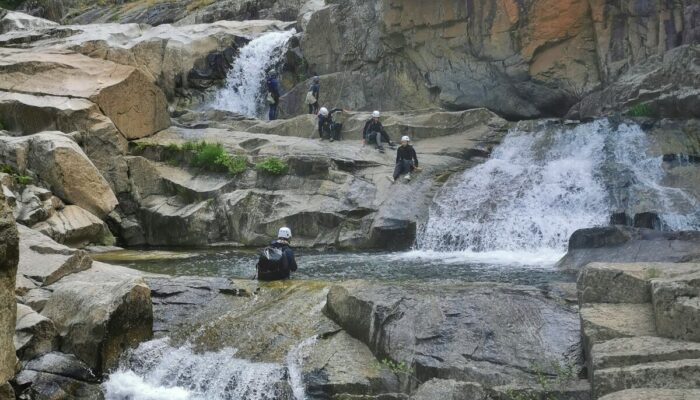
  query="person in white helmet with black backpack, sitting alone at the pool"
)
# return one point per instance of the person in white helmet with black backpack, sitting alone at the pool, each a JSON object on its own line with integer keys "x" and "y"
{"x": 276, "y": 262}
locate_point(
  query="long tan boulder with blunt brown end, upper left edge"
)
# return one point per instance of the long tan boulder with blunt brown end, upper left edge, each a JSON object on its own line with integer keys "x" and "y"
{"x": 124, "y": 94}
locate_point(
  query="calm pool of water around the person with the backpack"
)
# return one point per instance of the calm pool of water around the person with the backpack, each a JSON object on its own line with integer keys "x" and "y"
{"x": 408, "y": 266}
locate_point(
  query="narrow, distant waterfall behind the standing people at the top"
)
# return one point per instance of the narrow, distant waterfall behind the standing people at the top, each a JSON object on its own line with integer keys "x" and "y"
{"x": 245, "y": 85}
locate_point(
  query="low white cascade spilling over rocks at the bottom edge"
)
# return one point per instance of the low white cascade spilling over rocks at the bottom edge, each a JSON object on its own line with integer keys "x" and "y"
{"x": 156, "y": 370}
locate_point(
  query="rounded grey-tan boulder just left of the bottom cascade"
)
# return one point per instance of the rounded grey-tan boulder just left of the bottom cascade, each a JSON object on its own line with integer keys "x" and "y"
{"x": 99, "y": 313}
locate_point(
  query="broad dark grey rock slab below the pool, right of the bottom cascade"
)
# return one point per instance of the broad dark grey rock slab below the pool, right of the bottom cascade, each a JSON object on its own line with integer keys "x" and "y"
{"x": 428, "y": 329}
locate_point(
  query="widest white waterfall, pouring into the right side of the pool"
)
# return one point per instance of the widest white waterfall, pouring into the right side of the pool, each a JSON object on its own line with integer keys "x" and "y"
{"x": 538, "y": 188}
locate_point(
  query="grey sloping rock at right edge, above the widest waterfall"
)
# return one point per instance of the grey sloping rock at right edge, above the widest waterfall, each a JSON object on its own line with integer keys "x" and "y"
{"x": 662, "y": 86}
